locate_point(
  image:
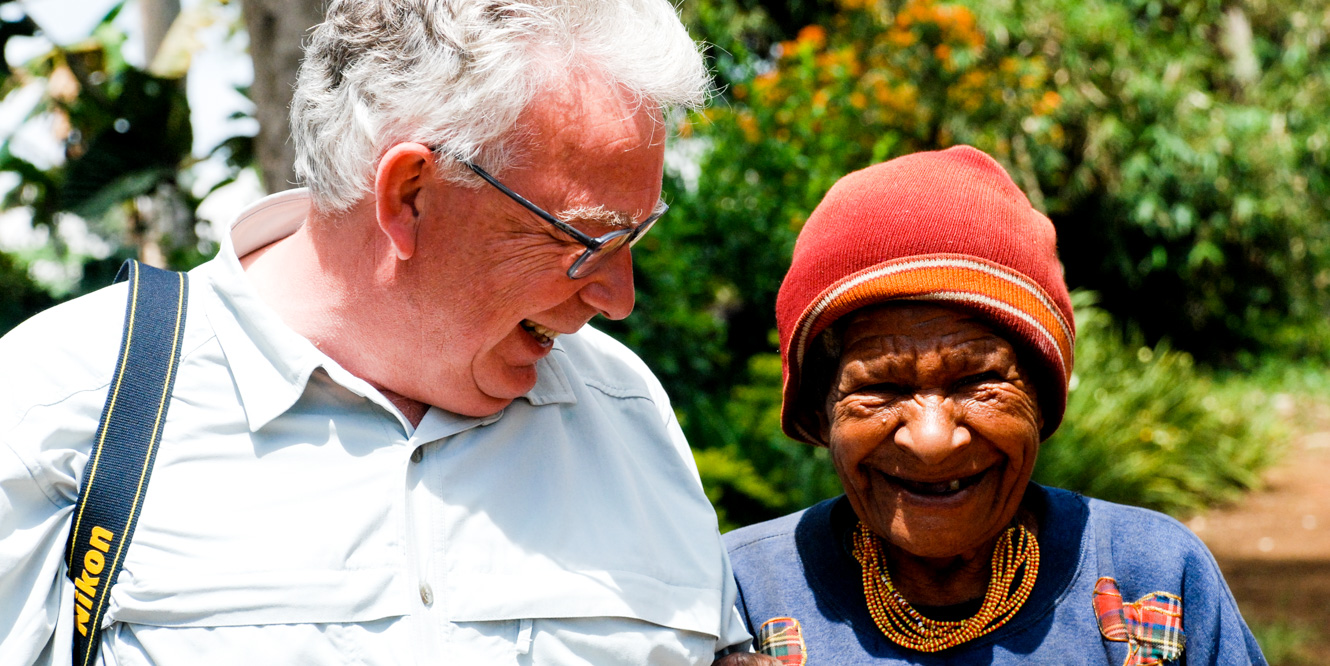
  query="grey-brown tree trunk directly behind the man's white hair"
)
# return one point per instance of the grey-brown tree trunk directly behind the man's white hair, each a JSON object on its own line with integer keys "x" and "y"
{"x": 277, "y": 31}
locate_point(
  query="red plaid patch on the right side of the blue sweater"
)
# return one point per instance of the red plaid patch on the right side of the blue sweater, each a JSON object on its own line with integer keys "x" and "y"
{"x": 1152, "y": 627}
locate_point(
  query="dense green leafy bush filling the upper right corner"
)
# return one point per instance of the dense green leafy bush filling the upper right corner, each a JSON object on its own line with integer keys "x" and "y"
{"x": 1190, "y": 189}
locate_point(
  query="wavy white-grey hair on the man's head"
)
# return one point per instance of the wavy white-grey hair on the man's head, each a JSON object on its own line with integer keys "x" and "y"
{"x": 456, "y": 75}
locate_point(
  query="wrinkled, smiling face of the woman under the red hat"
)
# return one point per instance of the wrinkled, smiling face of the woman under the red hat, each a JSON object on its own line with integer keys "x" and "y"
{"x": 933, "y": 426}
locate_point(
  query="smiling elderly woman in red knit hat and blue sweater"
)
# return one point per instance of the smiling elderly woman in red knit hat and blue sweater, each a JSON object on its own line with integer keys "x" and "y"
{"x": 928, "y": 338}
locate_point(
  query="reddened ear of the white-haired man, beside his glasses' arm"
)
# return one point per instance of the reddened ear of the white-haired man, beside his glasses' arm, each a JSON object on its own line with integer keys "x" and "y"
{"x": 404, "y": 172}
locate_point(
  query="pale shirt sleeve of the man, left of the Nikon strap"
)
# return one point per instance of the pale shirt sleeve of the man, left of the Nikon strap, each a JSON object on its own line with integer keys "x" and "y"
{"x": 55, "y": 377}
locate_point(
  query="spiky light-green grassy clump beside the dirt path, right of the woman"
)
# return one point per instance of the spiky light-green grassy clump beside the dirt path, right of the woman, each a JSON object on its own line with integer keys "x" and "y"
{"x": 1144, "y": 426}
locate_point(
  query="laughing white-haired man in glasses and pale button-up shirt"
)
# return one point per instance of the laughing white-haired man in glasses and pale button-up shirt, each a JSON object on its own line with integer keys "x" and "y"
{"x": 393, "y": 439}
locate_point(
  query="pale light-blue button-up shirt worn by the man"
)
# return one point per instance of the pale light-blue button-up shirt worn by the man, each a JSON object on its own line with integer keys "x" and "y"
{"x": 295, "y": 515}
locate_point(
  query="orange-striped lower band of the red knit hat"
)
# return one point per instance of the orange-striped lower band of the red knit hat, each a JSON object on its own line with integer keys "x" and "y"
{"x": 1009, "y": 297}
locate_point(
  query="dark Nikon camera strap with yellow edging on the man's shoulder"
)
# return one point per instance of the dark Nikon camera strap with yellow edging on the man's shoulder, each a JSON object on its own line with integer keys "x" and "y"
{"x": 122, "y": 458}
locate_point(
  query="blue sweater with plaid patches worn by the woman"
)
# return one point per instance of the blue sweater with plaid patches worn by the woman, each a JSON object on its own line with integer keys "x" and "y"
{"x": 800, "y": 567}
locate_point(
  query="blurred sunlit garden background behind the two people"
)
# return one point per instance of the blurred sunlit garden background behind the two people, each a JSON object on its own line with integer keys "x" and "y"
{"x": 1180, "y": 148}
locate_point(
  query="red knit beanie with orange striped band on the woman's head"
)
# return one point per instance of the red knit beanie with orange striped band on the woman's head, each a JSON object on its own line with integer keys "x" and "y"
{"x": 950, "y": 228}
